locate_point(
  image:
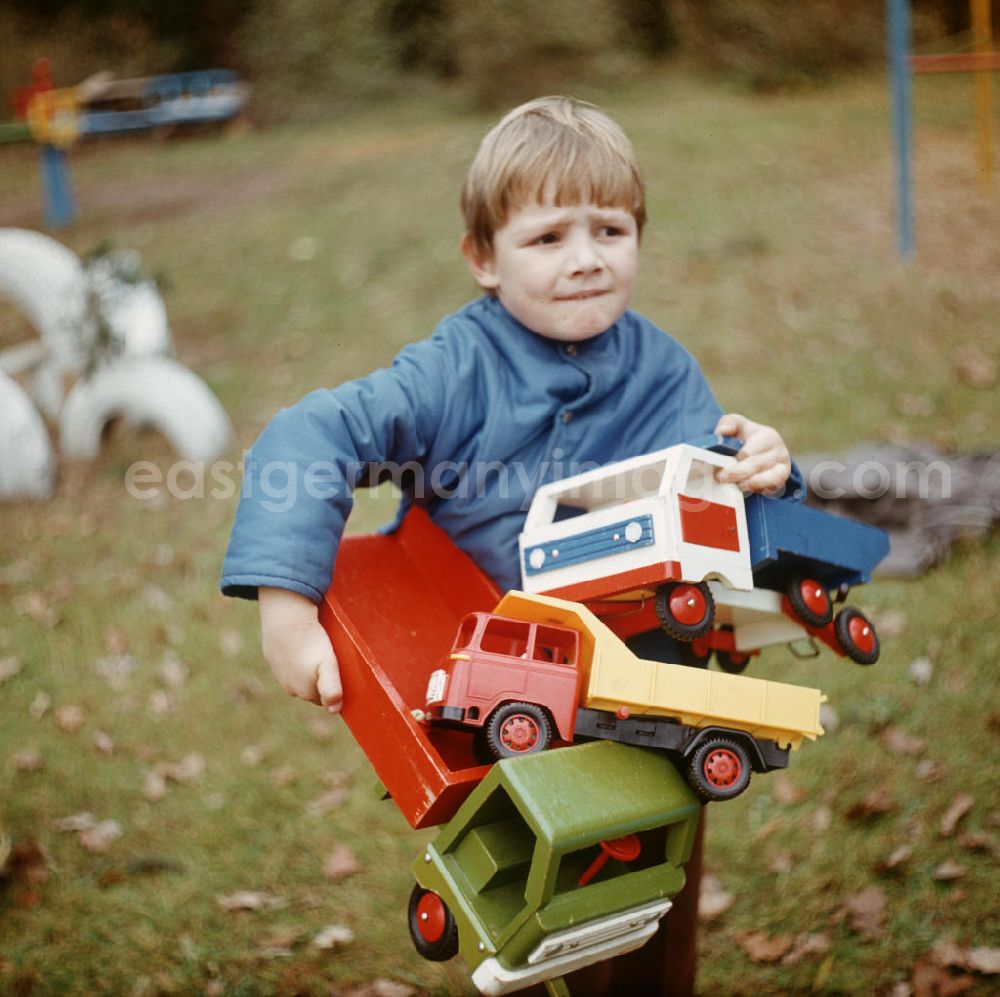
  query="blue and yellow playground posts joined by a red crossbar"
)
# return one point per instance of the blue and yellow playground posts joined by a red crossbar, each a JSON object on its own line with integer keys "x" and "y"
{"x": 982, "y": 61}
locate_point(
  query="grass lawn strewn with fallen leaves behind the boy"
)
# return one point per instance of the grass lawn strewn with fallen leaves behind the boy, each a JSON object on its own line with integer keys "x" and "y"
{"x": 301, "y": 256}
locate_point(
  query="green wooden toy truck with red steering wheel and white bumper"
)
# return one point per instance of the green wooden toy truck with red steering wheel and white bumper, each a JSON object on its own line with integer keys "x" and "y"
{"x": 539, "y": 872}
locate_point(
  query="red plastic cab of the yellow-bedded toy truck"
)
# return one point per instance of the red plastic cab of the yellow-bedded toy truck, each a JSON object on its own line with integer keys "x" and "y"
{"x": 497, "y": 671}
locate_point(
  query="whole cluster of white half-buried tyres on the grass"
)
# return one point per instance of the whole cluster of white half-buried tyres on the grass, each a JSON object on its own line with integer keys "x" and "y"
{"x": 103, "y": 331}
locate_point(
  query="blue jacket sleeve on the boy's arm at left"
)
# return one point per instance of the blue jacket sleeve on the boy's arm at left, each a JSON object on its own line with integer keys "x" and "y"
{"x": 300, "y": 475}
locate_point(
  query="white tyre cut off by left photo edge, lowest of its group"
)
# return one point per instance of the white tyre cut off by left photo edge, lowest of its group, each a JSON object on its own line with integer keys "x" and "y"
{"x": 27, "y": 464}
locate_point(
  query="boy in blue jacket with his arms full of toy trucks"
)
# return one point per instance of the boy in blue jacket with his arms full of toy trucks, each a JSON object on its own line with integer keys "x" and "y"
{"x": 546, "y": 372}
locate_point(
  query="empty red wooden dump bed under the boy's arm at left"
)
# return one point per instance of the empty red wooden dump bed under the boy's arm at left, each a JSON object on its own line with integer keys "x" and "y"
{"x": 392, "y": 613}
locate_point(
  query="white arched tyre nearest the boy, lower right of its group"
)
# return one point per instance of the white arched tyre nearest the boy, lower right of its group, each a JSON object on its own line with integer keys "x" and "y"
{"x": 146, "y": 391}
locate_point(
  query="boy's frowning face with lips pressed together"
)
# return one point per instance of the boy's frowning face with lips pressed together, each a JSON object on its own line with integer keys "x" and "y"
{"x": 566, "y": 272}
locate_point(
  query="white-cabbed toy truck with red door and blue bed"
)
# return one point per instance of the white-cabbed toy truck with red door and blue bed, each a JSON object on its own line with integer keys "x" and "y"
{"x": 658, "y": 540}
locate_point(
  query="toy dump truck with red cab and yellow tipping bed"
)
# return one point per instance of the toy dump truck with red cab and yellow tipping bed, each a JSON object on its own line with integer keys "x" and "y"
{"x": 538, "y": 668}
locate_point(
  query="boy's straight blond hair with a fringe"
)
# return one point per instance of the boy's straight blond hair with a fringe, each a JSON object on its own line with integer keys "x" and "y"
{"x": 557, "y": 148}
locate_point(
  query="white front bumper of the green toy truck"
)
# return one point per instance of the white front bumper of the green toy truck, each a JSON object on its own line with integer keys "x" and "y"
{"x": 573, "y": 949}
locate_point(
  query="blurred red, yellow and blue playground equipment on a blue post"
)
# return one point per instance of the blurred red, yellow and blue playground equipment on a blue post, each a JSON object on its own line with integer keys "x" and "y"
{"x": 57, "y": 118}
